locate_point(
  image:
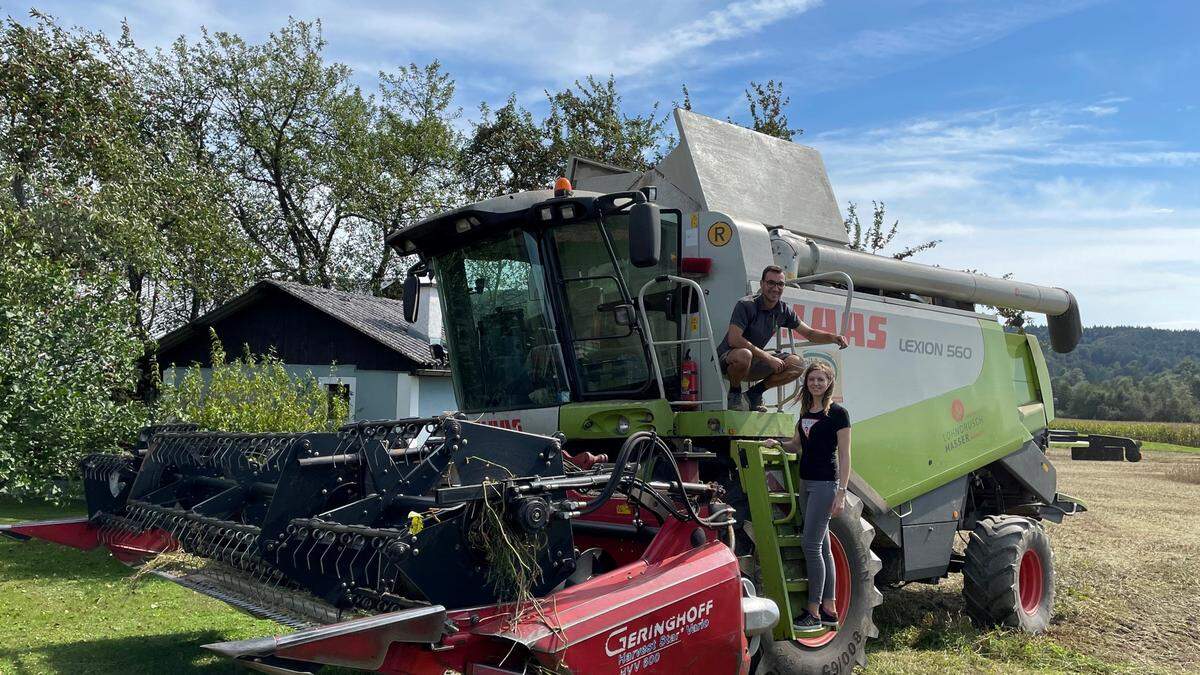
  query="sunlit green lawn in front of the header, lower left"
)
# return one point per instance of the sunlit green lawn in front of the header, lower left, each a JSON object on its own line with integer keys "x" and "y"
{"x": 64, "y": 611}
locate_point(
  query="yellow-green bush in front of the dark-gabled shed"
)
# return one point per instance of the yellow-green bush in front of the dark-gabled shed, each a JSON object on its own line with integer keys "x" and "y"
{"x": 250, "y": 395}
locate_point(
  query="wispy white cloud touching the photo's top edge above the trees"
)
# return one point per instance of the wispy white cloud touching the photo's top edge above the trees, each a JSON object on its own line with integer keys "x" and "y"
{"x": 550, "y": 41}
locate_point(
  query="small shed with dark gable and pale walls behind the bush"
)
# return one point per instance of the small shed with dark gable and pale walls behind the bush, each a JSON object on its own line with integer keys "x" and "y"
{"x": 386, "y": 367}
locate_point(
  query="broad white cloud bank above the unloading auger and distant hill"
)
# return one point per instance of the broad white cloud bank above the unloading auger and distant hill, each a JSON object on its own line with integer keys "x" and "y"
{"x": 1040, "y": 194}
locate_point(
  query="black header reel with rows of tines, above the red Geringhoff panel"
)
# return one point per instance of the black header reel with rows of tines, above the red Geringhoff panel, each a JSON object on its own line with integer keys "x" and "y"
{"x": 379, "y": 517}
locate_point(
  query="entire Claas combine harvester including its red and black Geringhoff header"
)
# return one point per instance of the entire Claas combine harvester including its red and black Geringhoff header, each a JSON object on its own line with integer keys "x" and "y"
{"x": 595, "y": 507}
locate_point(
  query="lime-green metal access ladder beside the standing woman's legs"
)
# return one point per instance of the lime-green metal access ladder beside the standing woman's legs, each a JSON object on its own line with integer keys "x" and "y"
{"x": 778, "y": 525}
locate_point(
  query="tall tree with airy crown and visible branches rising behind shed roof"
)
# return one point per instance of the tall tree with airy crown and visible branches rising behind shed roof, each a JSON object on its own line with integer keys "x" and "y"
{"x": 319, "y": 174}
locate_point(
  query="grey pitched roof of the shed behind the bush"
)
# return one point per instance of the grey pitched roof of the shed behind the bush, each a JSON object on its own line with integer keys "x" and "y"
{"x": 380, "y": 319}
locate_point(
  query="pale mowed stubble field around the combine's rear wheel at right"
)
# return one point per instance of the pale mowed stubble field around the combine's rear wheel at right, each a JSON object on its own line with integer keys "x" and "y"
{"x": 1129, "y": 584}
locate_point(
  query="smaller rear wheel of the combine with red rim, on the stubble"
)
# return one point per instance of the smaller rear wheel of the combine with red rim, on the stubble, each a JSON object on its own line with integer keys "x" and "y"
{"x": 1009, "y": 577}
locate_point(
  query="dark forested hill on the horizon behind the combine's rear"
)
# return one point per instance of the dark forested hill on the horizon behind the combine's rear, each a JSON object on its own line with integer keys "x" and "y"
{"x": 1127, "y": 373}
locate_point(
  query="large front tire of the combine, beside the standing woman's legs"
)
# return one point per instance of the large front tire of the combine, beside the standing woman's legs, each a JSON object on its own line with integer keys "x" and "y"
{"x": 857, "y": 599}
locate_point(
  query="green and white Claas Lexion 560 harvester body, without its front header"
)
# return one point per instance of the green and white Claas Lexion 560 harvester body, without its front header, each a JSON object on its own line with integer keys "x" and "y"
{"x": 591, "y": 315}
